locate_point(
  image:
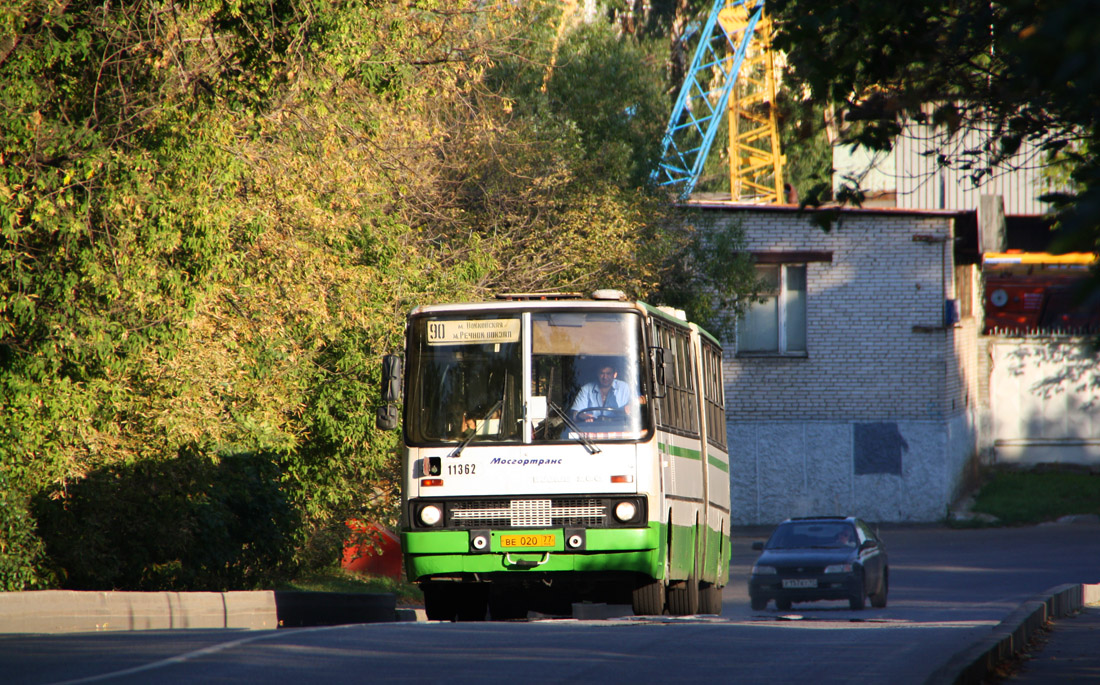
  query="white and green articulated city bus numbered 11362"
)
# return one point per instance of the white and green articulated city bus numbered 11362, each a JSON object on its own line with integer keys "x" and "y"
{"x": 558, "y": 450}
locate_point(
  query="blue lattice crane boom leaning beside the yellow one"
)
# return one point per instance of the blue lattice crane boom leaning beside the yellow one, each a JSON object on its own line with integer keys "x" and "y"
{"x": 705, "y": 96}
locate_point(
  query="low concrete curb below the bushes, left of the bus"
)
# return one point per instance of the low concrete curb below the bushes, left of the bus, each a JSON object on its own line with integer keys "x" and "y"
{"x": 56, "y": 612}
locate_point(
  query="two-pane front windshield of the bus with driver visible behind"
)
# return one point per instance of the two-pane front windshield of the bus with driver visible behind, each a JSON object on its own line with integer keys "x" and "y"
{"x": 466, "y": 378}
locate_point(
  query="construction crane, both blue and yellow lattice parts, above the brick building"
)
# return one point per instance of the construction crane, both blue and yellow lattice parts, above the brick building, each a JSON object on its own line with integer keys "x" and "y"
{"x": 733, "y": 69}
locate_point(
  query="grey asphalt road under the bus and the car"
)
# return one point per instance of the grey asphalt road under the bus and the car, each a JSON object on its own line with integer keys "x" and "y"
{"x": 949, "y": 589}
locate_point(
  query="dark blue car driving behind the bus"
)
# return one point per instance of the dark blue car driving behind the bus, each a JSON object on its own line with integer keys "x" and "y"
{"x": 821, "y": 558}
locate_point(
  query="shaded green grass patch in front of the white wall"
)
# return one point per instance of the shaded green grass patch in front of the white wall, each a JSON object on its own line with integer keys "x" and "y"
{"x": 1019, "y": 499}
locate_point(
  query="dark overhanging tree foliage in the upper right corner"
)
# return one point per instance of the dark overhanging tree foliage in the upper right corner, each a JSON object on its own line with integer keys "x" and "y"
{"x": 1020, "y": 71}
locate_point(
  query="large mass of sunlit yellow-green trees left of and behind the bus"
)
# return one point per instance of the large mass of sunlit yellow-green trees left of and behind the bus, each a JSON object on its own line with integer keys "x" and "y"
{"x": 214, "y": 222}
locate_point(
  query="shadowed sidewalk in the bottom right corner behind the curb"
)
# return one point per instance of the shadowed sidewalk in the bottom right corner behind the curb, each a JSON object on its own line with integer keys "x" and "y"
{"x": 1072, "y": 653}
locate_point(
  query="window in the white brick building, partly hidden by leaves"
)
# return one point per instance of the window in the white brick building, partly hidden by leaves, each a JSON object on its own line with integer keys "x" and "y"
{"x": 778, "y": 324}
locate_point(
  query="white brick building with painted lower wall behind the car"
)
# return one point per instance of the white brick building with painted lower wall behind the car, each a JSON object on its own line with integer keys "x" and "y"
{"x": 868, "y": 406}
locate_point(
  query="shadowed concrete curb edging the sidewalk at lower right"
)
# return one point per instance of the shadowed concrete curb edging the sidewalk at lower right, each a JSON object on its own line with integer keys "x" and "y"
{"x": 1011, "y": 636}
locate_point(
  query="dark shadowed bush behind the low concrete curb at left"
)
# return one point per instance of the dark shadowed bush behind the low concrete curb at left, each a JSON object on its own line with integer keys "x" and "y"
{"x": 186, "y": 523}
